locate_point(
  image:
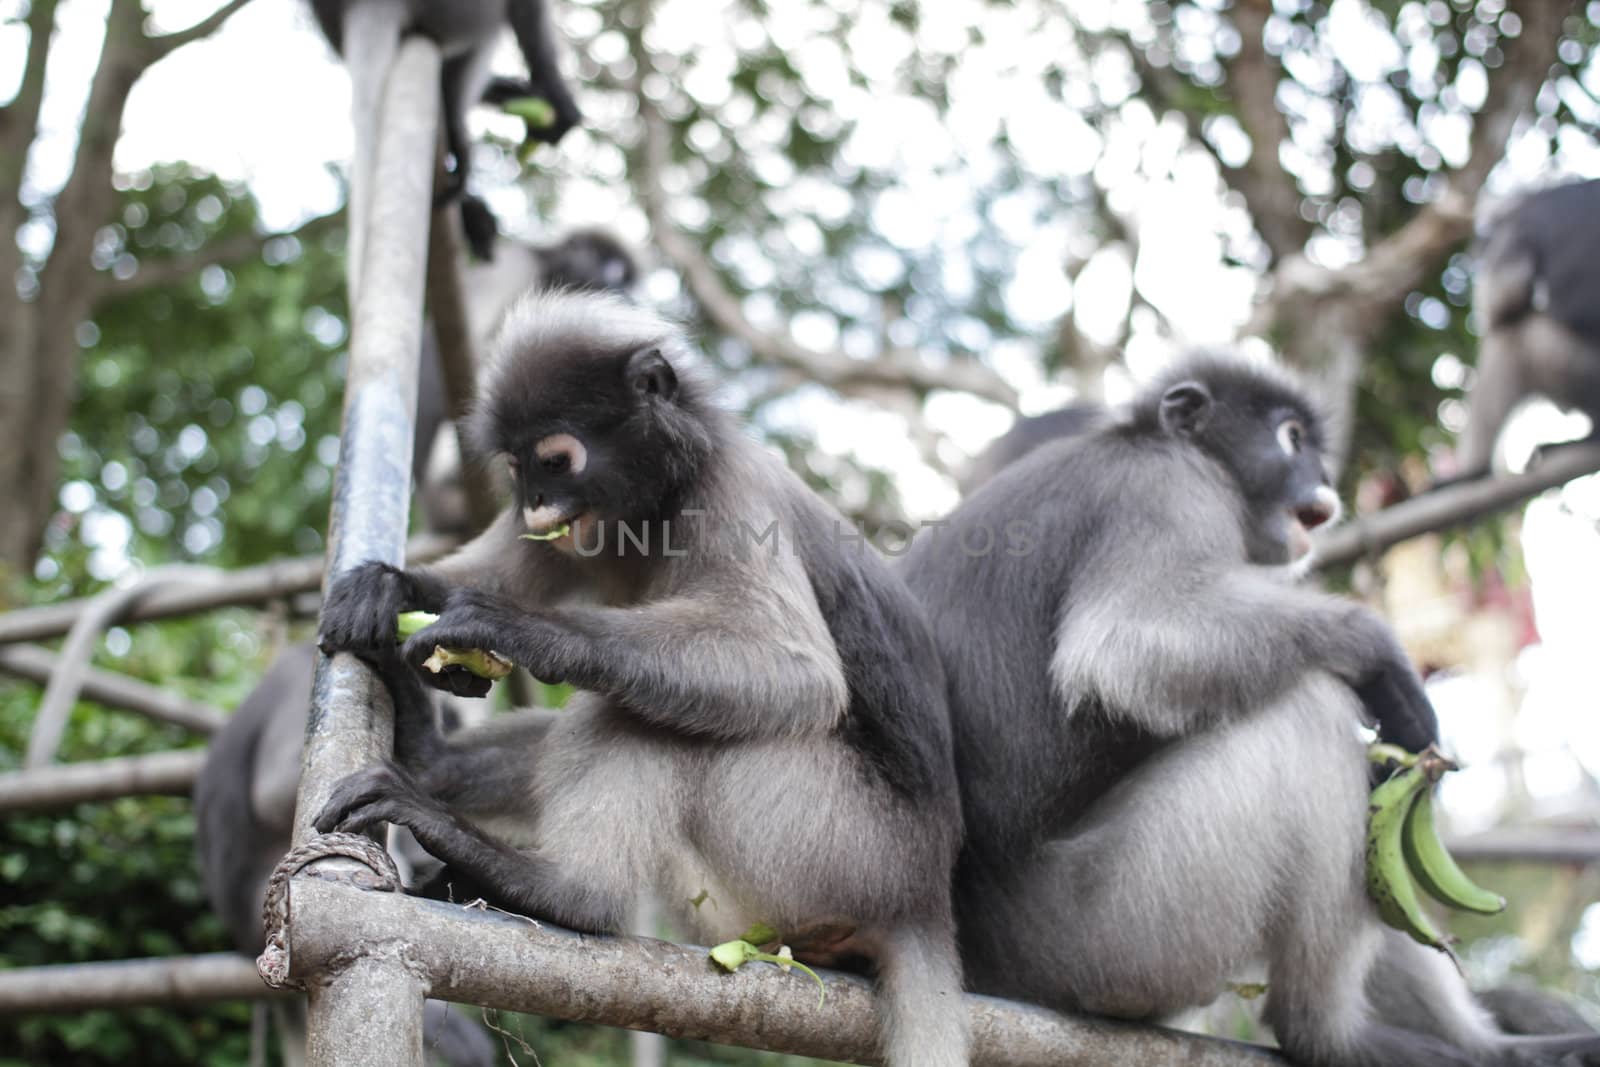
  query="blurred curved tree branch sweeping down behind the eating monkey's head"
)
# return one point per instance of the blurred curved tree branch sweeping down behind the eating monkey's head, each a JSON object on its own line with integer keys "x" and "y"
{"x": 897, "y": 369}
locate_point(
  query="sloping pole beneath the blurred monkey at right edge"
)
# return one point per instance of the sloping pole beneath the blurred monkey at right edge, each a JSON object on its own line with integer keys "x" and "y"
{"x": 1454, "y": 506}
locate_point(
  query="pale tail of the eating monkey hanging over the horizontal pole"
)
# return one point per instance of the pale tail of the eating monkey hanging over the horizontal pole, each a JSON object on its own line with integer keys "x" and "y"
{"x": 924, "y": 1021}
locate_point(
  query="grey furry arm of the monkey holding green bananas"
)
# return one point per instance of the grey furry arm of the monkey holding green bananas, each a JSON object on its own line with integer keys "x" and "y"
{"x": 1175, "y": 657}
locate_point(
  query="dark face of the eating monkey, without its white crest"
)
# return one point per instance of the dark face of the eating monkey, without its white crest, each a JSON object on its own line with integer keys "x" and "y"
{"x": 591, "y": 438}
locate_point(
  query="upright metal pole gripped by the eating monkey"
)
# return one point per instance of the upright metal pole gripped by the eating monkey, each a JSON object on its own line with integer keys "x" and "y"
{"x": 370, "y": 1010}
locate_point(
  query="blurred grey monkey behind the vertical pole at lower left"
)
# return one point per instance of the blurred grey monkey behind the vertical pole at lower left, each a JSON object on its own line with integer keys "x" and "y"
{"x": 244, "y": 821}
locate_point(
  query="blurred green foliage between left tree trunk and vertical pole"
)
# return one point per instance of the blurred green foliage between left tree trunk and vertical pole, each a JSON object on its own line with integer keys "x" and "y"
{"x": 209, "y": 410}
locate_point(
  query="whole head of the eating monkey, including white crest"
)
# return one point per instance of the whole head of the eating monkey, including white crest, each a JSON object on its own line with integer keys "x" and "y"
{"x": 599, "y": 410}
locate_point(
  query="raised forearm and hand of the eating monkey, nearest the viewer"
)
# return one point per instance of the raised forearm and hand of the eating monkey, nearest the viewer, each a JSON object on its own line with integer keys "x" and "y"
{"x": 735, "y": 666}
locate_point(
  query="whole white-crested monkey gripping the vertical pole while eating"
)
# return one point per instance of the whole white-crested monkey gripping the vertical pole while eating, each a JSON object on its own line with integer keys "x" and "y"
{"x": 762, "y": 721}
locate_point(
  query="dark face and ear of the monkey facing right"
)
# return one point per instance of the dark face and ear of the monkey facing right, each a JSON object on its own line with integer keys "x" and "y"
{"x": 1268, "y": 439}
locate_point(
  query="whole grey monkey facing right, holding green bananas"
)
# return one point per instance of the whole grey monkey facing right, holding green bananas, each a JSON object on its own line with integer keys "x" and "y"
{"x": 1156, "y": 730}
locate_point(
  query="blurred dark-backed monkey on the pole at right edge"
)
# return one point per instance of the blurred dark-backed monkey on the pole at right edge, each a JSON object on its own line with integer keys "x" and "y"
{"x": 1535, "y": 298}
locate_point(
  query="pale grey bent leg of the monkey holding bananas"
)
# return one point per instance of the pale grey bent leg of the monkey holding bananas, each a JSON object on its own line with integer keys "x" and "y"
{"x": 1246, "y": 842}
